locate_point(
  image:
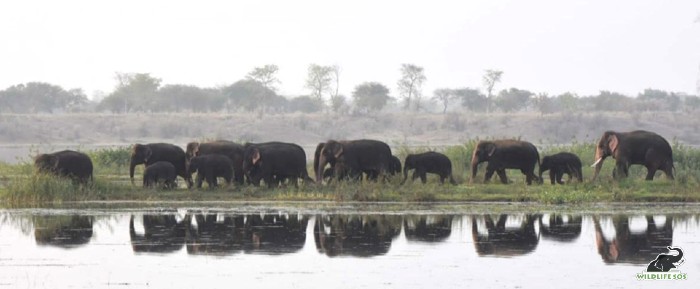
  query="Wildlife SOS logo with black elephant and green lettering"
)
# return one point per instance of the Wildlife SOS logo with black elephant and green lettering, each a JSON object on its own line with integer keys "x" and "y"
{"x": 664, "y": 267}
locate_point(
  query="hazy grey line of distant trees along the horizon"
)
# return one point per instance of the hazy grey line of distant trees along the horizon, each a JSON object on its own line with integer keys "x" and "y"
{"x": 257, "y": 92}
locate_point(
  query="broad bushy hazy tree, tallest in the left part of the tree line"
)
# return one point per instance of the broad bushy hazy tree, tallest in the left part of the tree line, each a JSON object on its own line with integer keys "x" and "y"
{"x": 134, "y": 92}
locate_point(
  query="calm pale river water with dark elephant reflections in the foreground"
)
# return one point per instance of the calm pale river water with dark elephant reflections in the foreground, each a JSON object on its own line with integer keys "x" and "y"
{"x": 289, "y": 247}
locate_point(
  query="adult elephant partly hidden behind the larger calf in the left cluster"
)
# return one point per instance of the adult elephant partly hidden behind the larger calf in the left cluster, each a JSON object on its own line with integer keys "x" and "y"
{"x": 228, "y": 148}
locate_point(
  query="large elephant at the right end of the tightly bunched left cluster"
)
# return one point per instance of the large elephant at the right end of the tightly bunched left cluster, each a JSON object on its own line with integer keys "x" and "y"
{"x": 275, "y": 162}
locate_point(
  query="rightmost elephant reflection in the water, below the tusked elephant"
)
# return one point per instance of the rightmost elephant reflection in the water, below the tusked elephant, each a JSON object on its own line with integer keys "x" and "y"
{"x": 632, "y": 247}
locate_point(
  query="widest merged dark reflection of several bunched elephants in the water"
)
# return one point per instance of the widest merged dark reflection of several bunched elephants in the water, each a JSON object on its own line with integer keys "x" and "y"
{"x": 228, "y": 234}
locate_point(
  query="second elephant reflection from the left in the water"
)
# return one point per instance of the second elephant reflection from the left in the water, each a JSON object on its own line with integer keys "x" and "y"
{"x": 163, "y": 233}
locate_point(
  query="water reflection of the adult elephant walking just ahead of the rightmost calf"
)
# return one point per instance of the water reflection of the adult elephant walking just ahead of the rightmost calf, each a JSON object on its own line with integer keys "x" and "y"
{"x": 502, "y": 241}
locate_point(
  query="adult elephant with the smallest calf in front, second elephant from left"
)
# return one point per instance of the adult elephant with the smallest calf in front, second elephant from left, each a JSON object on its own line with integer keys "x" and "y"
{"x": 151, "y": 153}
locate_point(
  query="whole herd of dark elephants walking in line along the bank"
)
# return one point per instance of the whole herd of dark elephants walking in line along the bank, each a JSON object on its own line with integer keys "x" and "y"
{"x": 277, "y": 163}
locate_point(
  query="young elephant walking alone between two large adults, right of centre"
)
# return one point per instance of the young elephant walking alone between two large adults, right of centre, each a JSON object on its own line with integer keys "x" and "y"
{"x": 428, "y": 162}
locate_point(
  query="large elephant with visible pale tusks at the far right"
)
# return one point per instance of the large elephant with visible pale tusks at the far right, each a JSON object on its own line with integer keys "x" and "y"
{"x": 634, "y": 148}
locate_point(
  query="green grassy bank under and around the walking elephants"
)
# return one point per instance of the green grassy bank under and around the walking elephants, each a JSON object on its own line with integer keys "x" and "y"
{"x": 20, "y": 187}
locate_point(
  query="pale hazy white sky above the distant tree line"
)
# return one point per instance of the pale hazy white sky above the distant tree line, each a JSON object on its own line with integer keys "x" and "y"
{"x": 541, "y": 45}
